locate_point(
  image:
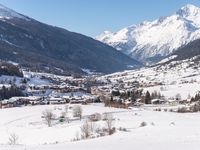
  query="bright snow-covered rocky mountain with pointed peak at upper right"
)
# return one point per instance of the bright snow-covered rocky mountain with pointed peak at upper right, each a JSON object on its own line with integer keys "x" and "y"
{"x": 150, "y": 40}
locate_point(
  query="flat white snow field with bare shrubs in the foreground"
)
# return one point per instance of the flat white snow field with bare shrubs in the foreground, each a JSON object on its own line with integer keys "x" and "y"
{"x": 164, "y": 130}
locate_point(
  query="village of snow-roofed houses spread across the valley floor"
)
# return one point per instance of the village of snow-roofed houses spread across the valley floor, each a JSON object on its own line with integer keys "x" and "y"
{"x": 62, "y": 91}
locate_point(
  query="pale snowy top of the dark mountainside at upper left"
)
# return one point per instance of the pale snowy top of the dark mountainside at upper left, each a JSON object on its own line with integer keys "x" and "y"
{"x": 6, "y": 13}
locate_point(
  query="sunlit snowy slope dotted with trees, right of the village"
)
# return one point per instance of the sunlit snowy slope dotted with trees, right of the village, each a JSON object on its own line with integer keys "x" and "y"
{"x": 176, "y": 77}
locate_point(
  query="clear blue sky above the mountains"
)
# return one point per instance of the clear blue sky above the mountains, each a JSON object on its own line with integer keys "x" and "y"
{"x": 92, "y": 17}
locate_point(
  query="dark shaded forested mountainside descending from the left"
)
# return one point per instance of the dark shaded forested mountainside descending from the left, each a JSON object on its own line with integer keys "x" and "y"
{"x": 43, "y": 47}
